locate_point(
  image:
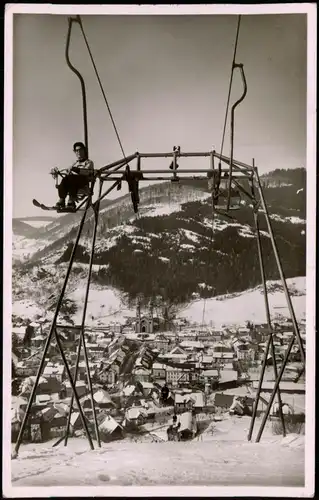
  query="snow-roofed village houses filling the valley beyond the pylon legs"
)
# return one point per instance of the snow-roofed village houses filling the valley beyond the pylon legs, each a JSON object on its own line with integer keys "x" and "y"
{"x": 212, "y": 377}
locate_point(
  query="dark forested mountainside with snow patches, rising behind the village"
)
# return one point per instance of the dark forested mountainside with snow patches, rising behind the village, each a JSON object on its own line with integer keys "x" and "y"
{"x": 173, "y": 249}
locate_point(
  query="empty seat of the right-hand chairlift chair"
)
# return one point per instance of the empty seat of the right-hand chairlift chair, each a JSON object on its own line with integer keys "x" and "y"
{"x": 220, "y": 192}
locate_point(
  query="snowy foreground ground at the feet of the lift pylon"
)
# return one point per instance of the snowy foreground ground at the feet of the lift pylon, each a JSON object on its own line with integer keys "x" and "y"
{"x": 222, "y": 458}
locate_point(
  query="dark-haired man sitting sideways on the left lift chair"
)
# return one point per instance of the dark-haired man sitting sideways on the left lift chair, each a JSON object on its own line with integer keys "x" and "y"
{"x": 77, "y": 178}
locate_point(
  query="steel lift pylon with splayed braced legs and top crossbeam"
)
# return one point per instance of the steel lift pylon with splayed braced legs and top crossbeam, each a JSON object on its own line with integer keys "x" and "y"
{"x": 114, "y": 172}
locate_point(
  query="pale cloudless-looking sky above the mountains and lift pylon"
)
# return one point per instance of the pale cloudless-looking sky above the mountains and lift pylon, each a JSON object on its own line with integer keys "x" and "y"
{"x": 166, "y": 79}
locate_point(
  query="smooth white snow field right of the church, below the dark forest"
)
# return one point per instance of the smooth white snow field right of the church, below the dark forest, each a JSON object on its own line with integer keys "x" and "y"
{"x": 249, "y": 305}
